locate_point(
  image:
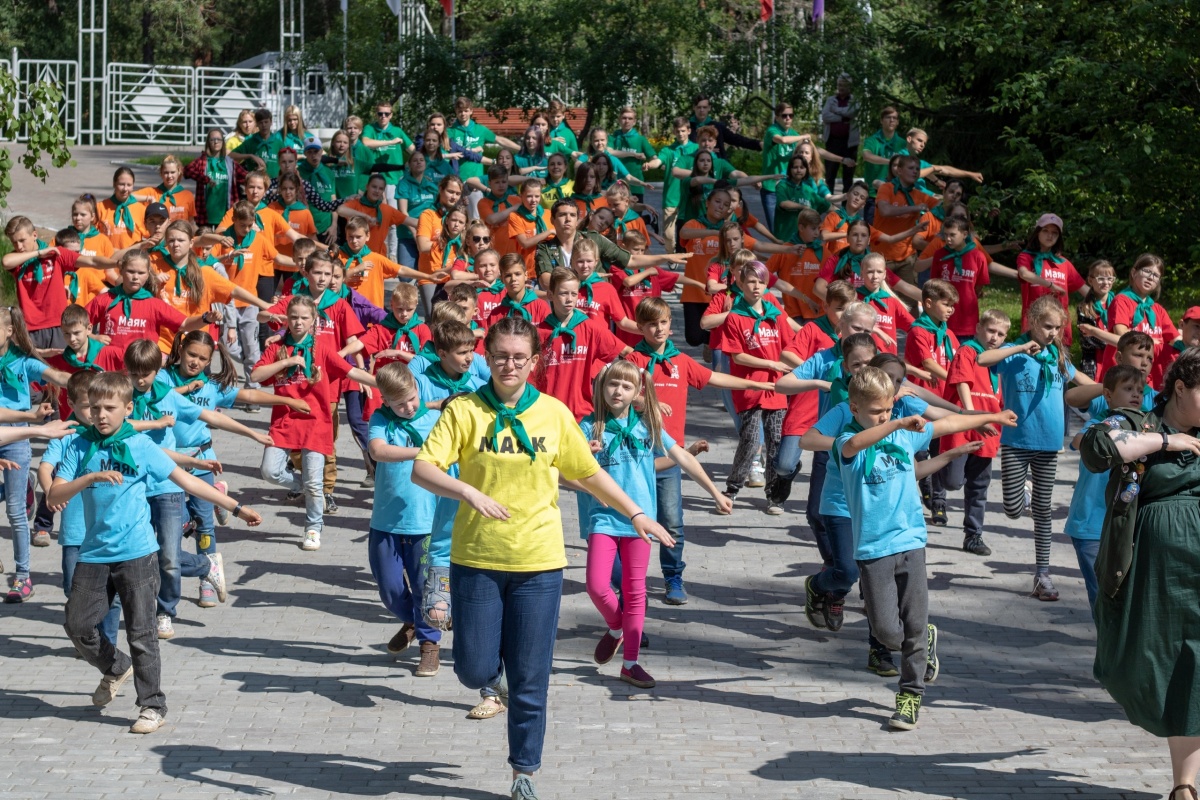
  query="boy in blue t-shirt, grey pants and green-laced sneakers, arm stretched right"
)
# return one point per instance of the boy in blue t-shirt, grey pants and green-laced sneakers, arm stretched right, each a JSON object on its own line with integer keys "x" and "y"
{"x": 877, "y": 459}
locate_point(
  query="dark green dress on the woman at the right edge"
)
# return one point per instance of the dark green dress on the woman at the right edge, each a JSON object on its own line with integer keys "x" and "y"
{"x": 1148, "y": 613}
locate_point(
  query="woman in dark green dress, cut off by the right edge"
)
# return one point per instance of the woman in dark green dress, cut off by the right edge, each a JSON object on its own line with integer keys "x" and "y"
{"x": 1148, "y": 615}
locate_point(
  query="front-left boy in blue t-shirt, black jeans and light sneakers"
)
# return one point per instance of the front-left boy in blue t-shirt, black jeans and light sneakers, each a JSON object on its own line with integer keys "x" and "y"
{"x": 112, "y": 468}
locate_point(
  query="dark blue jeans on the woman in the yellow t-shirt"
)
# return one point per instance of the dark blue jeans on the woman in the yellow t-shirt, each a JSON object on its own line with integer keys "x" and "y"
{"x": 506, "y": 623}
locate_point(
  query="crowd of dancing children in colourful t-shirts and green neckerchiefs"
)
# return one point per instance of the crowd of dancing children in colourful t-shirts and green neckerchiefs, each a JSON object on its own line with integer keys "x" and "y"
{"x": 131, "y": 323}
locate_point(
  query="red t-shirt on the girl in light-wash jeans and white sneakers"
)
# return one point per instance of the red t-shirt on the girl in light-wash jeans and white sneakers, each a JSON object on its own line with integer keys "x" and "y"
{"x": 292, "y": 430}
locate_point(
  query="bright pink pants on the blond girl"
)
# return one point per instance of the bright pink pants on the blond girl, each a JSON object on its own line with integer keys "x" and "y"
{"x": 635, "y": 556}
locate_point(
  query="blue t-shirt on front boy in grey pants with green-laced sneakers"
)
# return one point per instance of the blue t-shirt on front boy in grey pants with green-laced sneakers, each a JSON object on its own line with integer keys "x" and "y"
{"x": 885, "y": 507}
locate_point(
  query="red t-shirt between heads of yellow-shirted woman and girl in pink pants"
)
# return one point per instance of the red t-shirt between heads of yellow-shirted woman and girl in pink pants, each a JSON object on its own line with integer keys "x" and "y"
{"x": 569, "y": 366}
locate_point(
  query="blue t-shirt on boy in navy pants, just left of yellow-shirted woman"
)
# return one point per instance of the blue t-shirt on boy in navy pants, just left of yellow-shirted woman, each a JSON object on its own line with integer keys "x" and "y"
{"x": 400, "y": 506}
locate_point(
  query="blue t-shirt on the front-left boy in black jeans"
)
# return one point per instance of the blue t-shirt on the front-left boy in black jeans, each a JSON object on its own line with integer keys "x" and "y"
{"x": 117, "y": 518}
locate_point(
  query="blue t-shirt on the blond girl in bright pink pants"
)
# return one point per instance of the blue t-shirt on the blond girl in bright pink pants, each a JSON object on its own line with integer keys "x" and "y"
{"x": 633, "y": 471}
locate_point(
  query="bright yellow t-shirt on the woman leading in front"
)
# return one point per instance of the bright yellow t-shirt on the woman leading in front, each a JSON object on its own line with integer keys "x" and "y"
{"x": 531, "y": 540}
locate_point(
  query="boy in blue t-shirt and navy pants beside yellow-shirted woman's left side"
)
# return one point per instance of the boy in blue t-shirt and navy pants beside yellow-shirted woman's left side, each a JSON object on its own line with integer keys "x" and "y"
{"x": 403, "y": 516}
